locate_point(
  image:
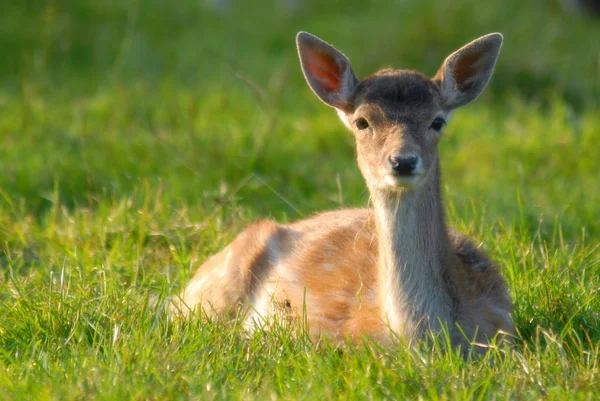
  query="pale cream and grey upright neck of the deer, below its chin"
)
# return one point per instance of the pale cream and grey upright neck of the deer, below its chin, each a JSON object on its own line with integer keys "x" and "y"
{"x": 415, "y": 264}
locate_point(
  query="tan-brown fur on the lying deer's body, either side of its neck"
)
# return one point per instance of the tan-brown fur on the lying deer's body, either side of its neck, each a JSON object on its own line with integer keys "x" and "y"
{"x": 342, "y": 302}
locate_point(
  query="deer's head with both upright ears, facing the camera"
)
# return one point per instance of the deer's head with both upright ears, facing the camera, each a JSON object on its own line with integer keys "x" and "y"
{"x": 397, "y": 116}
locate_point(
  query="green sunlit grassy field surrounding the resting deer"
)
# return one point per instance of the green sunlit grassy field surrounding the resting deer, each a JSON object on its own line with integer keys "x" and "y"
{"x": 139, "y": 137}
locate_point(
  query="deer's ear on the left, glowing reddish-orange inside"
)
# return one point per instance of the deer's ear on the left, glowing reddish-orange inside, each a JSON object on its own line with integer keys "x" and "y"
{"x": 327, "y": 71}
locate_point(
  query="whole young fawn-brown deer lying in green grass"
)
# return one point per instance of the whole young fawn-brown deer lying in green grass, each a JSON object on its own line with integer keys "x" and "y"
{"x": 393, "y": 270}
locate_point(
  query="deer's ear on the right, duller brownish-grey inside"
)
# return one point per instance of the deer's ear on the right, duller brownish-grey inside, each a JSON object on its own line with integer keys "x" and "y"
{"x": 467, "y": 71}
